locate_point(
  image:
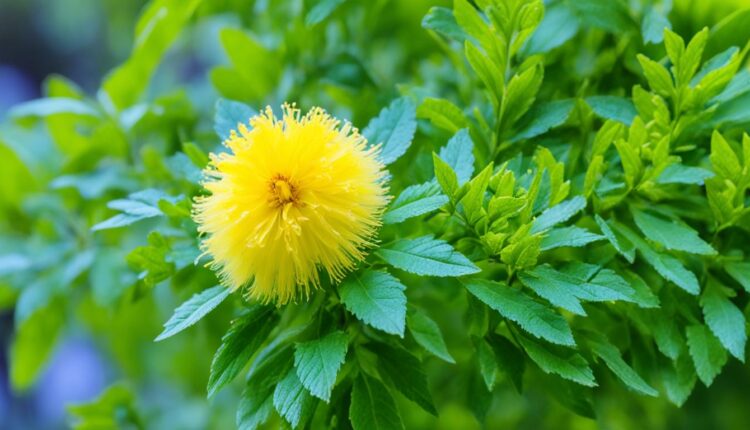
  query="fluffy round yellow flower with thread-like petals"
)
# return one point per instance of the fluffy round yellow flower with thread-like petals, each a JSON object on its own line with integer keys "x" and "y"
{"x": 294, "y": 195}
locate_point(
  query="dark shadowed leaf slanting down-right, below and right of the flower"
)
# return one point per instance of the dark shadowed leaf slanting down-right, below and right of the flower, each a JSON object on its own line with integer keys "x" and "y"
{"x": 405, "y": 373}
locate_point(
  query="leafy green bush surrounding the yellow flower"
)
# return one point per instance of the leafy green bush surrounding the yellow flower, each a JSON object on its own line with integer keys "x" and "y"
{"x": 565, "y": 245}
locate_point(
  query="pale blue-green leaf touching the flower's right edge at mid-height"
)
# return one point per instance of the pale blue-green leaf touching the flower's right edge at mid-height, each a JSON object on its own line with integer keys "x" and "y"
{"x": 414, "y": 201}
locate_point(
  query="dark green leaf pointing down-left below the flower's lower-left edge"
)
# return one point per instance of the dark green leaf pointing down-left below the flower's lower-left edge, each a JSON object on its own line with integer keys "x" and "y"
{"x": 239, "y": 343}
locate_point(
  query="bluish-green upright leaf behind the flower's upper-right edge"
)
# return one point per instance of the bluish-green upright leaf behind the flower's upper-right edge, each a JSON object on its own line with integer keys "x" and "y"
{"x": 394, "y": 128}
